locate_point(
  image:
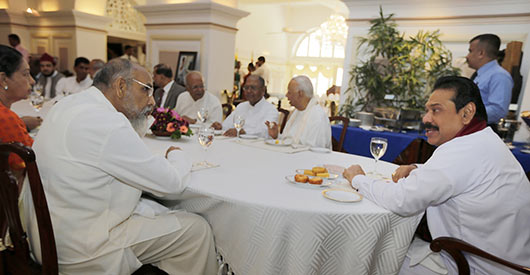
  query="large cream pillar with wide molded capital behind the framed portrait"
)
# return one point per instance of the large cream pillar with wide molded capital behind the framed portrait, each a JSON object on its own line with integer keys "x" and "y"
{"x": 207, "y": 28}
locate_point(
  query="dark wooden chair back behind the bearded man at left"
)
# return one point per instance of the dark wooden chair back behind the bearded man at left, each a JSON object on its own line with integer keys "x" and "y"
{"x": 16, "y": 258}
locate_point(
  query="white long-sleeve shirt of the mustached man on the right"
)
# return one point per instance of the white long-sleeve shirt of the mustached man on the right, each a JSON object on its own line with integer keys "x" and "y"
{"x": 473, "y": 189}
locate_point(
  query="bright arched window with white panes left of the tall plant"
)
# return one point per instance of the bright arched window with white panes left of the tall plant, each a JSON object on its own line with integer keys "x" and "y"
{"x": 319, "y": 54}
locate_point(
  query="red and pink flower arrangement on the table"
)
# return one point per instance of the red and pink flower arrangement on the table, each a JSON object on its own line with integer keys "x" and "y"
{"x": 169, "y": 123}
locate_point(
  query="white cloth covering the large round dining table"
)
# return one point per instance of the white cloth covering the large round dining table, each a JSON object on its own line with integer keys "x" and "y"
{"x": 264, "y": 225}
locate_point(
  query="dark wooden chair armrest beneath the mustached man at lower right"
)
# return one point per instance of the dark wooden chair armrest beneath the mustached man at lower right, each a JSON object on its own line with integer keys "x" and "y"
{"x": 455, "y": 247}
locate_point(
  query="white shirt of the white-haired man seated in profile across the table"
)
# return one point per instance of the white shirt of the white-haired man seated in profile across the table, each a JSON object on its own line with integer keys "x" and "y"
{"x": 309, "y": 127}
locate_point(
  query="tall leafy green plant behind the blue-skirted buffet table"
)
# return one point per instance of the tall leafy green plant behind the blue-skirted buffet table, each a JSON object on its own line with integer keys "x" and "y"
{"x": 405, "y": 68}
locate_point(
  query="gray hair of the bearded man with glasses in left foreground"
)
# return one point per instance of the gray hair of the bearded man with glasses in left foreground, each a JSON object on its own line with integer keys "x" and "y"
{"x": 116, "y": 68}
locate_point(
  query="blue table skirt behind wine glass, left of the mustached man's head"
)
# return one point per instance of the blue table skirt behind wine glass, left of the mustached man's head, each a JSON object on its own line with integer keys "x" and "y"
{"x": 357, "y": 141}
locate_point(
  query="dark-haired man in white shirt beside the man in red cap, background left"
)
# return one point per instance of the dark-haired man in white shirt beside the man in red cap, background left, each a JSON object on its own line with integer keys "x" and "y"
{"x": 76, "y": 83}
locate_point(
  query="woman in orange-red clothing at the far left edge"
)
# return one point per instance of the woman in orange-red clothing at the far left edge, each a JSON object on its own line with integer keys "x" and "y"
{"x": 15, "y": 85}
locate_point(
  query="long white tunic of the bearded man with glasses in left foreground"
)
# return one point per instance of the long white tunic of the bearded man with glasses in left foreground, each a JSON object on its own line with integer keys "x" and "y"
{"x": 94, "y": 168}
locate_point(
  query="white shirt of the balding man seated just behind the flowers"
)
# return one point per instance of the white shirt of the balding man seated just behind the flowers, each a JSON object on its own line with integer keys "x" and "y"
{"x": 186, "y": 106}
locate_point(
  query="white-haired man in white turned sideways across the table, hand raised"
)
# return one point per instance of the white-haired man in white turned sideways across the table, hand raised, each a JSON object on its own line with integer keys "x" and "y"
{"x": 308, "y": 124}
